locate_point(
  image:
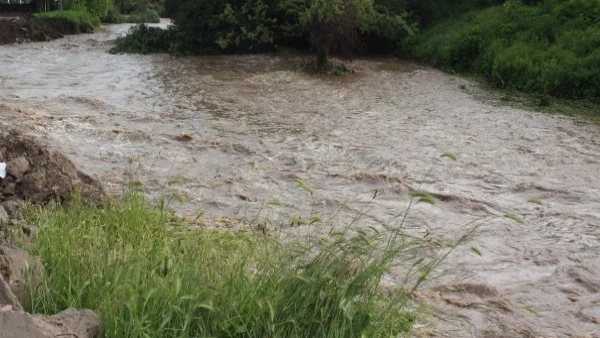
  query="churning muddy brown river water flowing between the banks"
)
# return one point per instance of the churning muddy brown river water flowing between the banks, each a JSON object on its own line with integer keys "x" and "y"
{"x": 230, "y": 136}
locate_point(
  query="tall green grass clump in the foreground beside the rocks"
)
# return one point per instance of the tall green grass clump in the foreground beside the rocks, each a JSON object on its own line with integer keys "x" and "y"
{"x": 148, "y": 276}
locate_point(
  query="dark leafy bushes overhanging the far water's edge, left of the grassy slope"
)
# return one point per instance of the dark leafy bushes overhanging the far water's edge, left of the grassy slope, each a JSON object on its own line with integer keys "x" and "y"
{"x": 330, "y": 27}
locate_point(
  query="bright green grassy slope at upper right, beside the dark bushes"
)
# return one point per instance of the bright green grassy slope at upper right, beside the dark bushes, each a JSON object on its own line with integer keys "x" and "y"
{"x": 552, "y": 47}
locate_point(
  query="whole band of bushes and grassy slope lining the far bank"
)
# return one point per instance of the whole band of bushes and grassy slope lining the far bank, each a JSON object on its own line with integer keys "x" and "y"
{"x": 547, "y": 47}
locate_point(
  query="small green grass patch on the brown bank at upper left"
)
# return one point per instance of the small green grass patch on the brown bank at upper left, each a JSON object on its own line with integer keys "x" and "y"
{"x": 72, "y": 21}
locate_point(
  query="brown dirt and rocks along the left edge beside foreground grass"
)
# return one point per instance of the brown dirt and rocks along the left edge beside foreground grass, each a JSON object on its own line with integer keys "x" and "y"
{"x": 37, "y": 174}
